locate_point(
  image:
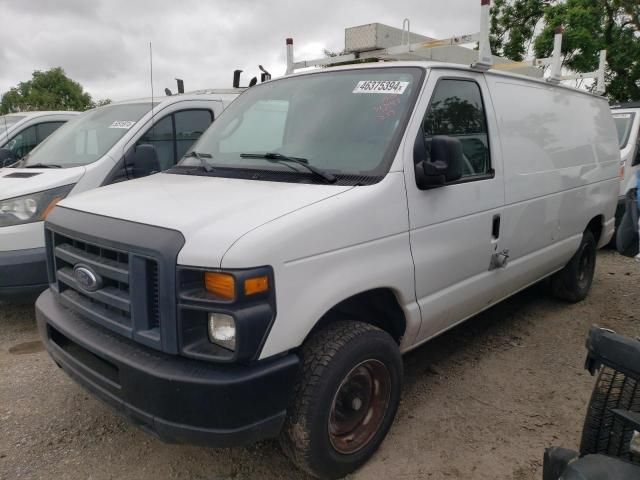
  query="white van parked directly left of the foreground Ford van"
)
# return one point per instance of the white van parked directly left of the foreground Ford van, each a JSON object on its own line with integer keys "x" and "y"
{"x": 99, "y": 147}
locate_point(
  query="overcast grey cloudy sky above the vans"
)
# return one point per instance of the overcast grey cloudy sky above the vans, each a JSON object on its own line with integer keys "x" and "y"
{"x": 104, "y": 44}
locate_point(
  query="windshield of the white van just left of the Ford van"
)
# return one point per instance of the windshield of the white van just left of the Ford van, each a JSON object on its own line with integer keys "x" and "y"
{"x": 87, "y": 137}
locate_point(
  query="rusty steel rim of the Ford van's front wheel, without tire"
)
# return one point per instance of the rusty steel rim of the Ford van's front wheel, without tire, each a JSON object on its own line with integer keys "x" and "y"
{"x": 359, "y": 406}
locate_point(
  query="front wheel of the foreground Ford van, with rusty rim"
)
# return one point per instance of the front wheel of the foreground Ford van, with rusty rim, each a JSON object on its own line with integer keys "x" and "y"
{"x": 345, "y": 399}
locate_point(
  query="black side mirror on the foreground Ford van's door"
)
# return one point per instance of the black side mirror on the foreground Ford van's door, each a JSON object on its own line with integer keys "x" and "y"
{"x": 439, "y": 166}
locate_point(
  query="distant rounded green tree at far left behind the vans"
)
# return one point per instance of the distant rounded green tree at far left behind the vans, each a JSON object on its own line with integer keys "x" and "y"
{"x": 50, "y": 90}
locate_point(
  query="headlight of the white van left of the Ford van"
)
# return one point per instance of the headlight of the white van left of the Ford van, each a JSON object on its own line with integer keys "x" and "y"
{"x": 31, "y": 208}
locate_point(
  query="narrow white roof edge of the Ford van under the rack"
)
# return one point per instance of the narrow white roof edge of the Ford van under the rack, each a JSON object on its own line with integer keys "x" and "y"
{"x": 448, "y": 66}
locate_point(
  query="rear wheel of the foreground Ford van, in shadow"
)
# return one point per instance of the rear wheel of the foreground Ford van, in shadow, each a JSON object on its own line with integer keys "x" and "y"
{"x": 573, "y": 282}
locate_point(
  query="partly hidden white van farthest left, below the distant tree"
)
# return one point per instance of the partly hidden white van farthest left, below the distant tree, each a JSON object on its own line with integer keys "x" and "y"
{"x": 22, "y": 132}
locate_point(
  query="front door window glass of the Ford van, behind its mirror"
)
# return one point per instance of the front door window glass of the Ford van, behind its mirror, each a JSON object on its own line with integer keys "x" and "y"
{"x": 456, "y": 110}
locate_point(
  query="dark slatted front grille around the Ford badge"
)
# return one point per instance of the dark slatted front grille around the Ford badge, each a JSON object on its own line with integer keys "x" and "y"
{"x": 127, "y": 300}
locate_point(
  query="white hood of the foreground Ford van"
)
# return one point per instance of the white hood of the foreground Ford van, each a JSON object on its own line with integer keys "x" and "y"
{"x": 219, "y": 210}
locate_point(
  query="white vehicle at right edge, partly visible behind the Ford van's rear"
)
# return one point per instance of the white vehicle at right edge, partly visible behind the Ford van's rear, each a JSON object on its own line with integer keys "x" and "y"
{"x": 627, "y": 120}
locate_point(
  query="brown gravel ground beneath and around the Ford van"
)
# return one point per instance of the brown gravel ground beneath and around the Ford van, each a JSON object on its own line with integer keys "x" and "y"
{"x": 480, "y": 402}
